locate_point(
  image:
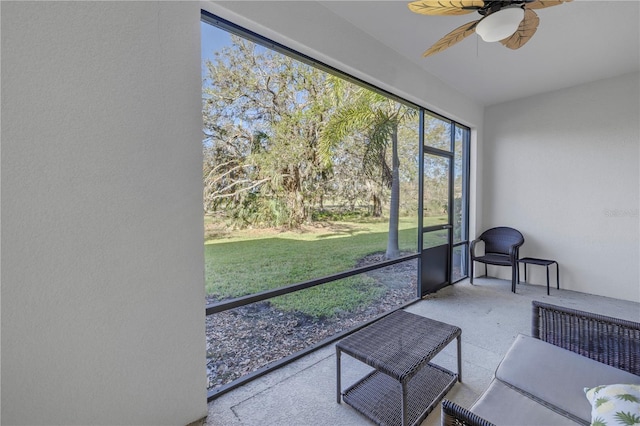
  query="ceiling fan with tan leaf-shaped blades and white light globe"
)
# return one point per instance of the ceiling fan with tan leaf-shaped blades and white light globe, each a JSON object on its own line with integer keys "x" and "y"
{"x": 512, "y": 23}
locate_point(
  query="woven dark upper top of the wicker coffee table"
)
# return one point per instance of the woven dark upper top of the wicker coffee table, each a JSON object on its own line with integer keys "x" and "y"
{"x": 399, "y": 344}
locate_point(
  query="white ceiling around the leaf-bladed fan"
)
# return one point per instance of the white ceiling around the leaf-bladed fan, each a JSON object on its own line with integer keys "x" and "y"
{"x": 576, "y": 42}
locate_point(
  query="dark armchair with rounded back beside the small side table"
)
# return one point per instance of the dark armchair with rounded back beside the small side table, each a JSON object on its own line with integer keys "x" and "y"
{"x": 501, "y": 247}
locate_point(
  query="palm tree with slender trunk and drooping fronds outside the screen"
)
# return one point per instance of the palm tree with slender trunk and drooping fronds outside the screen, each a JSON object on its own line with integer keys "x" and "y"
{"x": 377, "y": 118}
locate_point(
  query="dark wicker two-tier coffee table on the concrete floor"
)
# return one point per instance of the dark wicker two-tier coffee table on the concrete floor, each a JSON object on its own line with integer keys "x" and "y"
{"x": 405, "y": 386}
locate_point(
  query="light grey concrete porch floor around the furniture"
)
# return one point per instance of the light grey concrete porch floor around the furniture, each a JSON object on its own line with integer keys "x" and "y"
{"x": 490, "y": 316}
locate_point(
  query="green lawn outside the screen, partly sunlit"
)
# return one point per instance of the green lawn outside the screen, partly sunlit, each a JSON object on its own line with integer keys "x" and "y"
{"x": 249, "y": 261}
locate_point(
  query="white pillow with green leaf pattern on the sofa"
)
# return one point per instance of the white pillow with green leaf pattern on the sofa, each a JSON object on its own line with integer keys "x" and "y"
{"x": 614, "y": 405}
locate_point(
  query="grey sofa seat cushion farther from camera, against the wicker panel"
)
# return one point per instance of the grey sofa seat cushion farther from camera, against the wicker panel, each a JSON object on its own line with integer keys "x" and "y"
{"x": 557, "y": 375}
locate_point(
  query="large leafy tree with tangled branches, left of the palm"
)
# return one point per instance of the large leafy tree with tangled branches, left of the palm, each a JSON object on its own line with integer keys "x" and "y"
{"x": 262, "y": 114}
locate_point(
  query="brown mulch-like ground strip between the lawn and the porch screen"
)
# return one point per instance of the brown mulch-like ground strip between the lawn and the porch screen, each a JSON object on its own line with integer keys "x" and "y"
{"x": 245, "y": 339}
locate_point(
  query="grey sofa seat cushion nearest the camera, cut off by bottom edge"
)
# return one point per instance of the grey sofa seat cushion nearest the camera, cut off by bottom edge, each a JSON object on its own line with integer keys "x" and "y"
{"x": 501, "y": 405}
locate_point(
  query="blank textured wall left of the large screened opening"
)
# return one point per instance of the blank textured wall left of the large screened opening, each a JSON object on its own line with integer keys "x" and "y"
{"x": 102, "y": 243}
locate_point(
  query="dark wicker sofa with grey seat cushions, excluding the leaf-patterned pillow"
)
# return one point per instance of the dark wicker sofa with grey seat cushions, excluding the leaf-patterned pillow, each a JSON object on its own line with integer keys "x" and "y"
{"x": 541, "y": 379}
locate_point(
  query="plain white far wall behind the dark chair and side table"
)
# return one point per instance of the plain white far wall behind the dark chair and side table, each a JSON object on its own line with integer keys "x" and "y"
{"x": 563, "y": 168}
